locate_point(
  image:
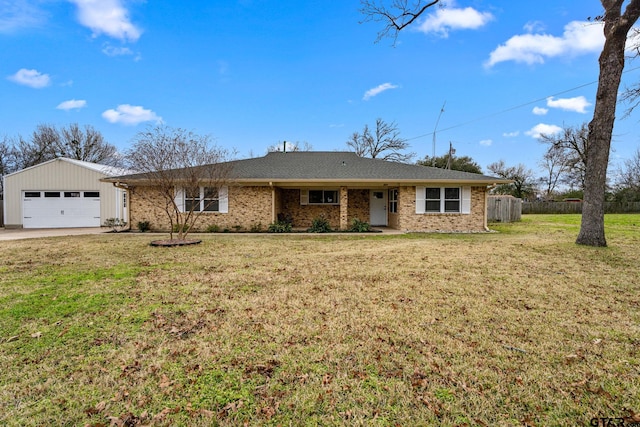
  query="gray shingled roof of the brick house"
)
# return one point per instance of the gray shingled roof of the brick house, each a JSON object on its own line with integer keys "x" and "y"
{"x": 336, "y": 166}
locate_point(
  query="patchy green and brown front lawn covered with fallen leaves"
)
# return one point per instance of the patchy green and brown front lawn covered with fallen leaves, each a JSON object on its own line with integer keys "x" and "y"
{"x": 518, "y": 327}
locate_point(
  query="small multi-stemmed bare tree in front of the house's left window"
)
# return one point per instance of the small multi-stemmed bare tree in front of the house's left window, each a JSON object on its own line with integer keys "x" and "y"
{"x": 173, "y": 161}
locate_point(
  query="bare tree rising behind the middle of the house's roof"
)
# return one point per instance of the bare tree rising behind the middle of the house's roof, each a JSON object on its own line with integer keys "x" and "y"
{"x": 385, "y": 143}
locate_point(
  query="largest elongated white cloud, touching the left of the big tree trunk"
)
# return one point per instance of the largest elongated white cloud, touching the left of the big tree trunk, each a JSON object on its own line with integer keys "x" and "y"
{"x": 579, "y": 37}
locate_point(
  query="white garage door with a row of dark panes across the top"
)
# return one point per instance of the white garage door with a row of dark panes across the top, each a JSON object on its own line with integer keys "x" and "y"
{"x": 60, "y": 209}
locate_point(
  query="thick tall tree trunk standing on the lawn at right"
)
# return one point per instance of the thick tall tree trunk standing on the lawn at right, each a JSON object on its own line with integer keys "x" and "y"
{"x": 611, "y": 62}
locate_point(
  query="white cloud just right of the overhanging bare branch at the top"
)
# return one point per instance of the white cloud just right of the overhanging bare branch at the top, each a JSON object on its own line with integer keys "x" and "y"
{"x": 451, "y": 18}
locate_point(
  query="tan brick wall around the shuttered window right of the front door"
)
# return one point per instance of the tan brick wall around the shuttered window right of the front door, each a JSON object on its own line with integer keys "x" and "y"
{"x": 410, "y": 221}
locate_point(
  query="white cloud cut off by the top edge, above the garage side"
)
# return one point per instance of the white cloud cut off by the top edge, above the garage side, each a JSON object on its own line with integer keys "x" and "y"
{"x": 107, "y": 17}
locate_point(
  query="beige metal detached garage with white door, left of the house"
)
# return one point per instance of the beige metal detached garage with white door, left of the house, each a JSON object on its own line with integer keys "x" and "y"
{"x": 62, "y": 193}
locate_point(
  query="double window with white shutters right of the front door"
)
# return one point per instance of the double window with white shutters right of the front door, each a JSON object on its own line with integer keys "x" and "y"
{"x": 443, "y": 200}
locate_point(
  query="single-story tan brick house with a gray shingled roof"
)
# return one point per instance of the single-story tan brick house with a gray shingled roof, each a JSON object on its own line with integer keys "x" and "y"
{"x": 340, "y": 186}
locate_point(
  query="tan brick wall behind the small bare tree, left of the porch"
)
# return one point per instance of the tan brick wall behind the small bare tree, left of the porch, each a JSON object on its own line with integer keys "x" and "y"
{"x": 248, "y": 207}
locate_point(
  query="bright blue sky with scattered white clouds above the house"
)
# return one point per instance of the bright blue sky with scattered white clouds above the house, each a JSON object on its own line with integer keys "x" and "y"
{"x": 254, "y": 73}
